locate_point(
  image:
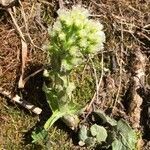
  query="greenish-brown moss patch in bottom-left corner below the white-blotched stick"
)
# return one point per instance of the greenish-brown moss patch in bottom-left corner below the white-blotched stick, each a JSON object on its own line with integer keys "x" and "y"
{"x": 14, "y": 123}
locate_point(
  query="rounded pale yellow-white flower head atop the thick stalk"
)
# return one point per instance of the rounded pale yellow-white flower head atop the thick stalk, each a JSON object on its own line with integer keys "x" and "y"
{"x": 74, "y": 35}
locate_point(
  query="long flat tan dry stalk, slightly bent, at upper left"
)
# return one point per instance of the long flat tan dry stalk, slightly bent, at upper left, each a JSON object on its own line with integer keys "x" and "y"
{"x": 24, "y": 48}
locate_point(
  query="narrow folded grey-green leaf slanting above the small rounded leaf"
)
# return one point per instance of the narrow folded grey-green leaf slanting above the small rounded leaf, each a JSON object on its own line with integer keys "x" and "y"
{"x": 105, "y": 118}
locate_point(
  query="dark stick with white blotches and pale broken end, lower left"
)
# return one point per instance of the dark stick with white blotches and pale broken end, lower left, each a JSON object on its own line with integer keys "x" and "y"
{"x": 17, "y": 99}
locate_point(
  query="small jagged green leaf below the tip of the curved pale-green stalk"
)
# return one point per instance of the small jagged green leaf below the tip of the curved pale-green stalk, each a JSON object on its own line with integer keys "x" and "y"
{"x": 39, "y": 135}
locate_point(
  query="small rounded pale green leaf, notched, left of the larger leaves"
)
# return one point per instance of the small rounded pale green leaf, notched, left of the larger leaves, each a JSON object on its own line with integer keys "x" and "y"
{"x": 100, "y": 132}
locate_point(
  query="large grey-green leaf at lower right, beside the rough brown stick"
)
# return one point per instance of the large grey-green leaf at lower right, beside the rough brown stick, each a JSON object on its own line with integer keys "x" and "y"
{"x": 126, "y": 135}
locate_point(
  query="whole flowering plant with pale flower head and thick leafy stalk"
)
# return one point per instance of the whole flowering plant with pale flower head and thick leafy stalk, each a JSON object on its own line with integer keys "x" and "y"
{"x": 73, "y": 38}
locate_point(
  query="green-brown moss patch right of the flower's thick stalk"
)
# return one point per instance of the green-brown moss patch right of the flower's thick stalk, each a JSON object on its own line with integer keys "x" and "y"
{"x": 85, "y": 81}
